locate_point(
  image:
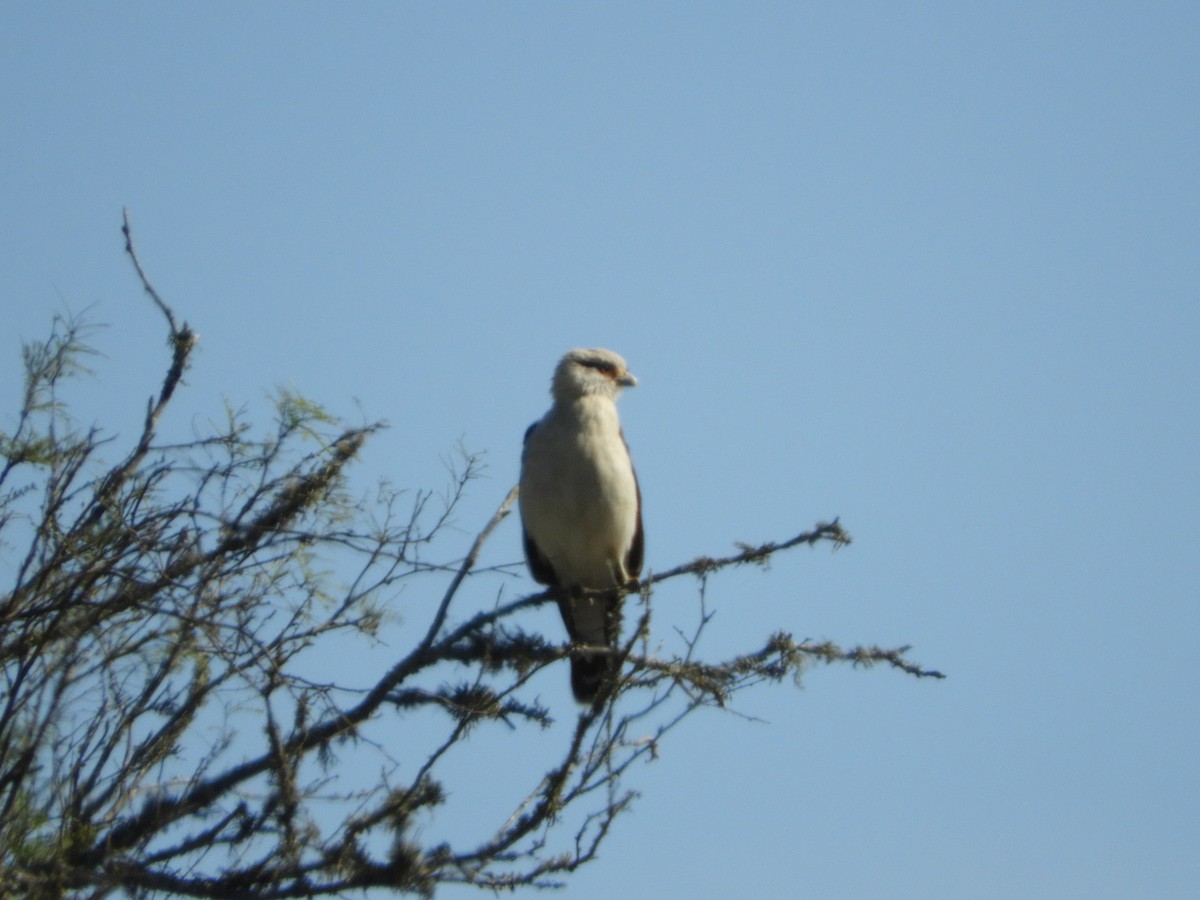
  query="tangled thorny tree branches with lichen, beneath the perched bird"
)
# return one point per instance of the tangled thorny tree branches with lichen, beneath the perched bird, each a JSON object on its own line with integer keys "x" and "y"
{"x": 171, "y": 721}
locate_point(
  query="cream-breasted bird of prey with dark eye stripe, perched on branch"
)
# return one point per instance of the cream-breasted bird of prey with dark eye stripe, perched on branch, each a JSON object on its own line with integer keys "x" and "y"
{"x": 581, "y": 509}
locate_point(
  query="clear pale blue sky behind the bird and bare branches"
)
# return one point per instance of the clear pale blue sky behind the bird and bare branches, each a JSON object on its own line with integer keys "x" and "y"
{"x": 933, "y": 268}
